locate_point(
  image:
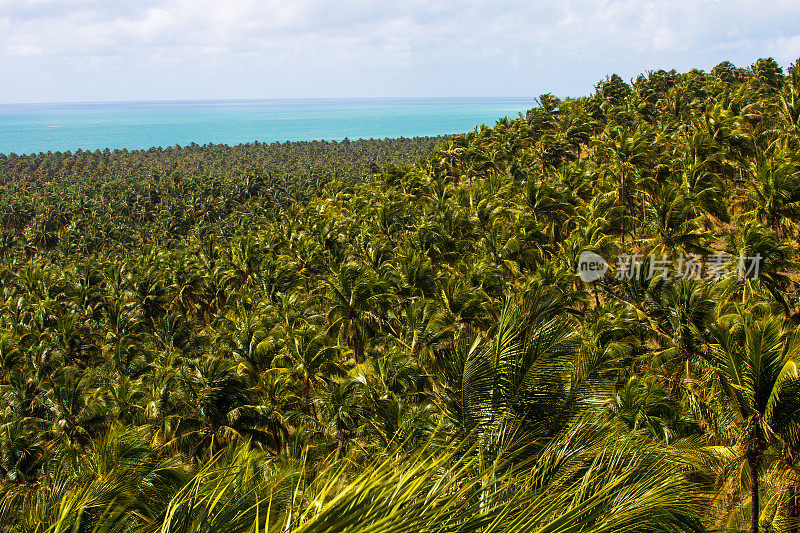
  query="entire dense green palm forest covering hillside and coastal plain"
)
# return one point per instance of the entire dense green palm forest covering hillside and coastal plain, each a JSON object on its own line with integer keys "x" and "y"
{"x": 393, "y": 336}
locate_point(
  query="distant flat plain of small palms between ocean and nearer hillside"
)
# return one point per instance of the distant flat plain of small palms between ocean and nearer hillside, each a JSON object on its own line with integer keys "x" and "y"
{"x": 104, "y": 199}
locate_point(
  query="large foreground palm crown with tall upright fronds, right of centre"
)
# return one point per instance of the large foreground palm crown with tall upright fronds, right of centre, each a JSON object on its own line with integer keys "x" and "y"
{"x": 522, "y": 381}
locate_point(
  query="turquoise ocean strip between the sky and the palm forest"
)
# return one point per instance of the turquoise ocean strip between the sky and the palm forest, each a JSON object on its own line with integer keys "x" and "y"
{"x": 30, "y": 128}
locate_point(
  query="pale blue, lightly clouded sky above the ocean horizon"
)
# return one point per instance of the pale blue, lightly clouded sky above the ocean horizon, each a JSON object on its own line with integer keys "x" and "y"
{"x": 118, "y": 50}
